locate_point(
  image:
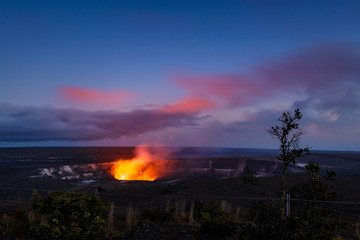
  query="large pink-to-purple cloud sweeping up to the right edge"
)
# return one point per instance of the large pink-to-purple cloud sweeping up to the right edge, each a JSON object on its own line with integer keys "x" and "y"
{"x": 314, "y": 72}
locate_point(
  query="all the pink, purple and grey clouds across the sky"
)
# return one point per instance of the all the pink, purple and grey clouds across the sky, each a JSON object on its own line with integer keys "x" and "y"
{"x": 324, "y": 82}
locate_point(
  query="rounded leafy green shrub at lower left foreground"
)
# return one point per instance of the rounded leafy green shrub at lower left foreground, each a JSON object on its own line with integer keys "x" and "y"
{"x": 62, "y": 215}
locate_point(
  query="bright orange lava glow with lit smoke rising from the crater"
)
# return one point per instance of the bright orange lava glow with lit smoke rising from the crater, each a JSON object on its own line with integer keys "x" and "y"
{"x": 145, "y": 166}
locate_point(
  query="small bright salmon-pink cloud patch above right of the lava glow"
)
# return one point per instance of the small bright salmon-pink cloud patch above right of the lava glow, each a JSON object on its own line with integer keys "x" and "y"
{"x": 189, "y": 106}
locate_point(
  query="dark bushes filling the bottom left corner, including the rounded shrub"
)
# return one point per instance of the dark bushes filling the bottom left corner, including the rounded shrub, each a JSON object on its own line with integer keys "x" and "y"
{"x": 59, "y": 215}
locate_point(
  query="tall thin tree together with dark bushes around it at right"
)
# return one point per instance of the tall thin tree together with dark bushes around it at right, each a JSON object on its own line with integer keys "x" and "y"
{"x": 310, "y": 219}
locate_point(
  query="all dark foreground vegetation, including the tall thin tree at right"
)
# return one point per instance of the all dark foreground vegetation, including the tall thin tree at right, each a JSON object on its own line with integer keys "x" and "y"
{"x": 71, "y": 215}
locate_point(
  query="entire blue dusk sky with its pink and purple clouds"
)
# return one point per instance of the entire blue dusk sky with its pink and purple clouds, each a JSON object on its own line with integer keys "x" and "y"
{"x": 178, "y": 72}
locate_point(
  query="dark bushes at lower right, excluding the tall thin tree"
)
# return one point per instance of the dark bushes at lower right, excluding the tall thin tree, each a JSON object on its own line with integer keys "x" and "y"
{"x": 311, "y": 217}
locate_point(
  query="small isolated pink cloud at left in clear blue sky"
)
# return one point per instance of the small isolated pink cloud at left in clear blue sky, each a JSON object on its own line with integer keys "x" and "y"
{"x": 88, "y": 95}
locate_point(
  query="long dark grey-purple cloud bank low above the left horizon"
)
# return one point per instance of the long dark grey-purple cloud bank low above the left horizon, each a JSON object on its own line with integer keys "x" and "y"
{"x": 21, "y": 124}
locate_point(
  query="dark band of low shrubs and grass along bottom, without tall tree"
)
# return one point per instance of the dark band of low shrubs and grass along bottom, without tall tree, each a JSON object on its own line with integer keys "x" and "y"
{"x": 69, "y": 215}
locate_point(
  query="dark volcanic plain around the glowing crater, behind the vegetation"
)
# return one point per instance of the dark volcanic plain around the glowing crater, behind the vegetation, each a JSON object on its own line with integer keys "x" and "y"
{"x": 49, "y": 169}
